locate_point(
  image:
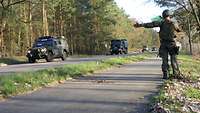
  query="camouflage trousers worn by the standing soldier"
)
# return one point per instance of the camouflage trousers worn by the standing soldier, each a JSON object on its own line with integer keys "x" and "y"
{"x": 166, "y": 50}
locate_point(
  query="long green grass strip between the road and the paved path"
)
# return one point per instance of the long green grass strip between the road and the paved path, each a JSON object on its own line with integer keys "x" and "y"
{"x": 18, "y": 83}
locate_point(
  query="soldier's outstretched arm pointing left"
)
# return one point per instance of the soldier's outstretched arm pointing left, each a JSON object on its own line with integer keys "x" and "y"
{"x": 148, "y": 25}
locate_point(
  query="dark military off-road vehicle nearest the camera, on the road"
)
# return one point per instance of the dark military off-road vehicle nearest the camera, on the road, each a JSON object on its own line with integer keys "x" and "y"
{"x": 48, "y": 47}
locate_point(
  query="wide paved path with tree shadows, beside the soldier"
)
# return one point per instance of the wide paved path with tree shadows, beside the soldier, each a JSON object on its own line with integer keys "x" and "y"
{"x": 119, "y": 90}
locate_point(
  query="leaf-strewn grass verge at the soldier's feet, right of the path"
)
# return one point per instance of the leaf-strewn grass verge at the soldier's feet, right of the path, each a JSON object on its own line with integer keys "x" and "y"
{"x": 174, "y": 94}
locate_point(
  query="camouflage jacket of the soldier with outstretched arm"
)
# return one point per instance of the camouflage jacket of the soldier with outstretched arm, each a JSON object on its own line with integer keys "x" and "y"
{"x": 167, "y": 29}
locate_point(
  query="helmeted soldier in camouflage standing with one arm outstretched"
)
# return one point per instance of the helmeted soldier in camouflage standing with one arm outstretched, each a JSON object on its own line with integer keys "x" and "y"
{"x": 168, "y": 46}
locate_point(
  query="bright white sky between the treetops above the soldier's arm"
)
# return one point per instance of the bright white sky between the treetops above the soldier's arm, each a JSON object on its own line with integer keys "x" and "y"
{"x": 141, "y": 10}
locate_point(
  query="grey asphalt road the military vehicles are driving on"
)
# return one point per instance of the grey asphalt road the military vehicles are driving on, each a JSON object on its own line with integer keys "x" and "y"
{"x": 56, "y": 63}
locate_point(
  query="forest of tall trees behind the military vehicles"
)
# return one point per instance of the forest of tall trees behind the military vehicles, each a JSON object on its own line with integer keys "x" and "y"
{"x": 88, "y": 25}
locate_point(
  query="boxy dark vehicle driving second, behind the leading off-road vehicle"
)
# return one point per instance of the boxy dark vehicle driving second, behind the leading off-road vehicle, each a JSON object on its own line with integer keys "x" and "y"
{"x": 119, "y": 46}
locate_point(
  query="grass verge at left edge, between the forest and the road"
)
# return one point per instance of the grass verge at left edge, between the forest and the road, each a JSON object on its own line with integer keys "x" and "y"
{"x": 13, "y": 60}
